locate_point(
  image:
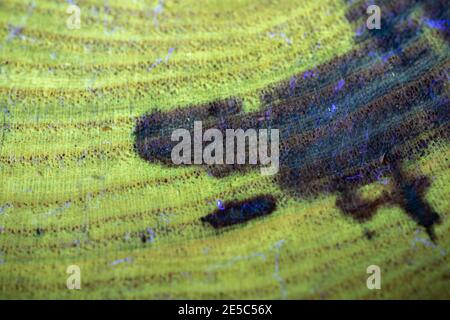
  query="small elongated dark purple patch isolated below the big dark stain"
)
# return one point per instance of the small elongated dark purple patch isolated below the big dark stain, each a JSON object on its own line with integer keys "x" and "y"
{"x": 236, "y": 212}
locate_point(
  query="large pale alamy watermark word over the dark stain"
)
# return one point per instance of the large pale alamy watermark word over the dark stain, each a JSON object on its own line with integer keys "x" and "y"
{"x": 234, "y": 145}
